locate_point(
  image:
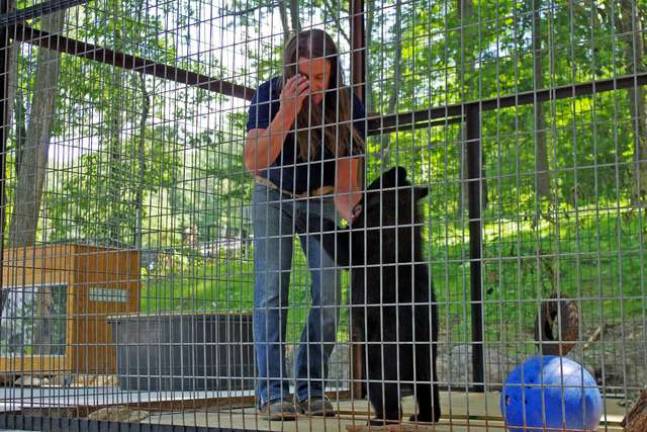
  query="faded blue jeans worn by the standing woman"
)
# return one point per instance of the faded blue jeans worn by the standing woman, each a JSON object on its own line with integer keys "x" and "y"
{"x": 274, "y": 216}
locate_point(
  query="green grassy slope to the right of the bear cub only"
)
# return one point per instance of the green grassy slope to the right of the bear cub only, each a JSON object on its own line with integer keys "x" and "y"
{"x": 596, "y": 260}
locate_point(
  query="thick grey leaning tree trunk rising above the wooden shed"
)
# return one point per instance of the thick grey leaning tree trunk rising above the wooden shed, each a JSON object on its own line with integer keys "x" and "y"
{"x": 33, "y": 168}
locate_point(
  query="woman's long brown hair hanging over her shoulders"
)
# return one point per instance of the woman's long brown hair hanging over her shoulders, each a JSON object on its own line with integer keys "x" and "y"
{"x": 338, "y": 132}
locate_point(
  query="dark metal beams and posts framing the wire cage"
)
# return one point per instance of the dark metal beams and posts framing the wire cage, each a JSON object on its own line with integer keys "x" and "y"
{"x": 13, "y": 28}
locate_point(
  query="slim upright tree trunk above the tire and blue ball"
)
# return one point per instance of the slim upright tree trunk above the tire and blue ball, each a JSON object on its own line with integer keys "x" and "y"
{"x": 541, "y": 154}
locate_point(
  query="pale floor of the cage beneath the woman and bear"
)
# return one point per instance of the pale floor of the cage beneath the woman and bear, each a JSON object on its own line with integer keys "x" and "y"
{"x": 474, "y": 412}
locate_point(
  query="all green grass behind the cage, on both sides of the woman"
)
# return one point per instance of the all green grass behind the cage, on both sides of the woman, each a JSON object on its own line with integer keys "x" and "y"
{"x": 596, "y": 259}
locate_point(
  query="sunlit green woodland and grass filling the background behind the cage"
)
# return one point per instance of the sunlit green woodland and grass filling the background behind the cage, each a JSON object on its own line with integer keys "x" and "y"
{"x": 159, "y": 158}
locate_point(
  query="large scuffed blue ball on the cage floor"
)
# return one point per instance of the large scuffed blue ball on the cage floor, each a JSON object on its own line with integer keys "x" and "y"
{"x": 548, "y": 392}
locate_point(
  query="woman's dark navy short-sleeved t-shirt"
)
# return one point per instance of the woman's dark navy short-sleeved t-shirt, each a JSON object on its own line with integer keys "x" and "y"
{"x": 289, "y": 171}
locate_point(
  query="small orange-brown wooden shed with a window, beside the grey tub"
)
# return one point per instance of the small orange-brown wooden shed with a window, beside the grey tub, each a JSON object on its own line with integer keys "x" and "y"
{"x": 55, "y": 301}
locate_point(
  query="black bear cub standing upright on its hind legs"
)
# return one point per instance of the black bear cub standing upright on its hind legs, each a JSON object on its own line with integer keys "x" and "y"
{"x": 392, "y": 298}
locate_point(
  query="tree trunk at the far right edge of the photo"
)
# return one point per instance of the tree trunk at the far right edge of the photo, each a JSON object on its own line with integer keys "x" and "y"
{"x": 631, "y": 27}
